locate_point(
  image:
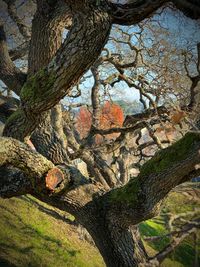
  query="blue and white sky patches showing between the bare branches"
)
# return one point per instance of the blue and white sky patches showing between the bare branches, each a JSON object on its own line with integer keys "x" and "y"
{"x": 179, "y": 26}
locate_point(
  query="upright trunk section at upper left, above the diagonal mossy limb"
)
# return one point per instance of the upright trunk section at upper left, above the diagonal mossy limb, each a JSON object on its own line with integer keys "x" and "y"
{"x": 47, "y": 27}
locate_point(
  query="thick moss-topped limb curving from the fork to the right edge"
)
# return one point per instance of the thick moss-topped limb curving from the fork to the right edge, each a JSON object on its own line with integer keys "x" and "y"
{"x": 141, "y": 197}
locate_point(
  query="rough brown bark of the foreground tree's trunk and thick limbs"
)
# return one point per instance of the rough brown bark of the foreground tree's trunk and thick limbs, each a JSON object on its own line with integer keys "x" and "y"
{"x": 54, "y": 69}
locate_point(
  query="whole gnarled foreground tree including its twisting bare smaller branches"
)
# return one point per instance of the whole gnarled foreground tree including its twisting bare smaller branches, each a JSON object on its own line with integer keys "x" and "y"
{"x": 109, "y": 214}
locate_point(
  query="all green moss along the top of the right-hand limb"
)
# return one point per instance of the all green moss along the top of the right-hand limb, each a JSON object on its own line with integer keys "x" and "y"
{"x": 163, "y": 160}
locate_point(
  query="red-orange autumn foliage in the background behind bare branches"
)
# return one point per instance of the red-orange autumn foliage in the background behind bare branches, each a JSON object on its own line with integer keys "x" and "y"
{"x": 111, "y": 116}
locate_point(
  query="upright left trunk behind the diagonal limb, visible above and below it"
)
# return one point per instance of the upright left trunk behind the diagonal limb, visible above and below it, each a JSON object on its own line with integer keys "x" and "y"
{"x": 47, "y": 26}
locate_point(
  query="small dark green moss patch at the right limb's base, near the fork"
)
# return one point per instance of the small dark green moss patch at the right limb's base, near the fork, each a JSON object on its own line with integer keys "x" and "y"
{"x": 126, "y": 194}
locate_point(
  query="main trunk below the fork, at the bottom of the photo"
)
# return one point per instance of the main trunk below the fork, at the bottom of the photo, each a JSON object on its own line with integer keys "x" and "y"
{"x": 119, "y": 247}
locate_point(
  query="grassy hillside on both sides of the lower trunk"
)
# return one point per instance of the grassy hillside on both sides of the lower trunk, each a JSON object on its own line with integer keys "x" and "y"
{"x": 33, "y": 234}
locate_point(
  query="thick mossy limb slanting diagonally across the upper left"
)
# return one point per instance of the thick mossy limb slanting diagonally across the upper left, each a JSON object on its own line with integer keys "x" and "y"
{"x": 43, "y": 90}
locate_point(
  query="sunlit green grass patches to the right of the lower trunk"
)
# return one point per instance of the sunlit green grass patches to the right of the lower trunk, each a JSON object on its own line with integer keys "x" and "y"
{"x": 184, "y": 254}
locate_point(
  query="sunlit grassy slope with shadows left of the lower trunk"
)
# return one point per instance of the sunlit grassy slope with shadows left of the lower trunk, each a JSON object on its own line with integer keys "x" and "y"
{"x": 29, "y": 237}
